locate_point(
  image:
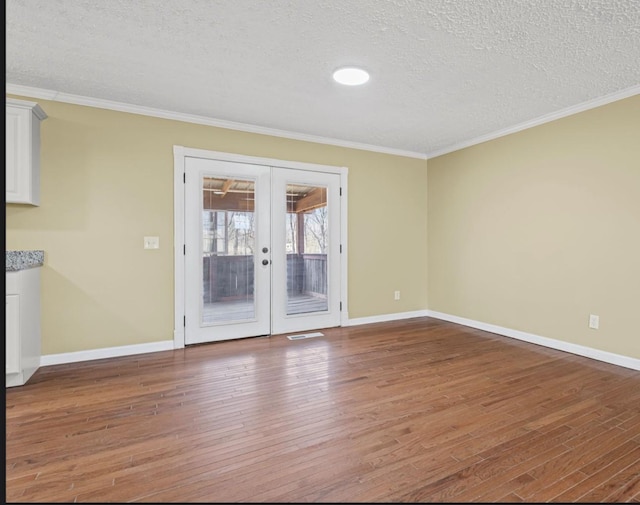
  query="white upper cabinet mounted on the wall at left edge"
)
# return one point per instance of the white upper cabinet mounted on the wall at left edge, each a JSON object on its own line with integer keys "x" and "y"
{"x": 23, "y": 151}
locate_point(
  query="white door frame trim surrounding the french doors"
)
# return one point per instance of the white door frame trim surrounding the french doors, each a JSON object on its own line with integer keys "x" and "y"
{"x": 179, "y": 155}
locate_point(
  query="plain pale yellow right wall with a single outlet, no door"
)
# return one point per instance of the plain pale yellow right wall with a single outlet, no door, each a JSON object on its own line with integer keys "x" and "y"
{"x": 536, "y": 230}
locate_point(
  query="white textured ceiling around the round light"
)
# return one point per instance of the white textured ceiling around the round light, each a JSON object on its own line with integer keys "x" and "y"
{"x": 443, "y": 72}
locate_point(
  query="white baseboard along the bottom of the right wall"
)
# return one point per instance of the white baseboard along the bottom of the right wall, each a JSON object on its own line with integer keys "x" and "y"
{"x": 580, "y": 350}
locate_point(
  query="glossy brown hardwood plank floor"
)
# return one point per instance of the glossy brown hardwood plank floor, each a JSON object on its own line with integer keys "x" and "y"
{"x": 419, "y": 410}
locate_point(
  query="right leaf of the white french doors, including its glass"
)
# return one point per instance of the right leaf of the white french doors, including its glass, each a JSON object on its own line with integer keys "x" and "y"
{"x": 305, "y": 232}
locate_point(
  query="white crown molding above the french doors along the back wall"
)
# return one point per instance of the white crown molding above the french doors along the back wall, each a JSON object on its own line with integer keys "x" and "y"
{"x": 57, "y": 96}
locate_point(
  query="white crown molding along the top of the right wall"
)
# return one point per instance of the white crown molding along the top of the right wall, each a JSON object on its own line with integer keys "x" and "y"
{"x": 569, "y": 111}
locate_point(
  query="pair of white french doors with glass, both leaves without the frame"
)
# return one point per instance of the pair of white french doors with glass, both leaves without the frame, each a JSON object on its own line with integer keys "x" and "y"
{"x": 262, "y": 250}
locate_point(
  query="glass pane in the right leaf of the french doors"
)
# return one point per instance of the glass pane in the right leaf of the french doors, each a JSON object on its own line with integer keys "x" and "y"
{"x": 307, "y": 228}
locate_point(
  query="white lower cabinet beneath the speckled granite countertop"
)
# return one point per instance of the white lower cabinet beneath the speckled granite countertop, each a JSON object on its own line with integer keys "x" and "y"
{"x": 22, "y": 336}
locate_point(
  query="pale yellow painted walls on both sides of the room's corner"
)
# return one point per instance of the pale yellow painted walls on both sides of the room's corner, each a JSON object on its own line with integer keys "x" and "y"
{"x": 533, "y": 231}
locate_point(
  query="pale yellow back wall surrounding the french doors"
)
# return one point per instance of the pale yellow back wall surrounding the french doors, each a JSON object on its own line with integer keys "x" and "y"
{"x": 107, "y": 181}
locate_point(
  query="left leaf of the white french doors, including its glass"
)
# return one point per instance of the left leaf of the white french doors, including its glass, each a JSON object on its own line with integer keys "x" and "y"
{"x": 227, "y": 250}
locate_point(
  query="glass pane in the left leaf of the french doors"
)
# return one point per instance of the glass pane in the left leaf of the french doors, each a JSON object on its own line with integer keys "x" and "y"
{"x": 228, "y": 248}
